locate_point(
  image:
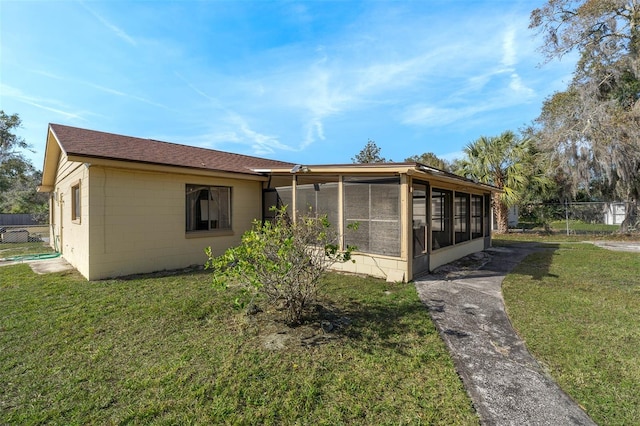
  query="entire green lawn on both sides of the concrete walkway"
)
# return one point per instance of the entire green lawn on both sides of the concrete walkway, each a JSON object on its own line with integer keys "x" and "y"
{"x": 172, "y": 350}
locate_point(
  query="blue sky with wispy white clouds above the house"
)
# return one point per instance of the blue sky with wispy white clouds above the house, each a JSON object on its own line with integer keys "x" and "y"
{"x": 307, "y": 82}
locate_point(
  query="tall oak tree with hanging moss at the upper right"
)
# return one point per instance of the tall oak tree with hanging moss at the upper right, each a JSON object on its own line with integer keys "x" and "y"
{"x": 592, "y": 129}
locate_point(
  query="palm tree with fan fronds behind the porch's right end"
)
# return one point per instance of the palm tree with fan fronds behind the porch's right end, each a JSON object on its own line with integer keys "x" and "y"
{"x": 508, "y": 163}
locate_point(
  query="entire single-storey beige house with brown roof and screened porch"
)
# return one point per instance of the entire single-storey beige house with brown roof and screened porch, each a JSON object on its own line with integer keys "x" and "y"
{"x": 121, "y": 205}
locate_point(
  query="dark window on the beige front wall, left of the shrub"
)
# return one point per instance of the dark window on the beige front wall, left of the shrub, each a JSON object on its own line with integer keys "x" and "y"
{"x": 208, "y": 208}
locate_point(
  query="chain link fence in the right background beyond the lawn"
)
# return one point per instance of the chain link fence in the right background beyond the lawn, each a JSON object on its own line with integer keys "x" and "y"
{"x": 576, "y": 218}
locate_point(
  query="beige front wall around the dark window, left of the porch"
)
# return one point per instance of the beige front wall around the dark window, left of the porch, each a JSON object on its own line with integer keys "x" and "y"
{"x": 138, "y": 221}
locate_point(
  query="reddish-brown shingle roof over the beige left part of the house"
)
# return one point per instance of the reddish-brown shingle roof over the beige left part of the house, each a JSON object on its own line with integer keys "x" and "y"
{"x": 94, "y": 144}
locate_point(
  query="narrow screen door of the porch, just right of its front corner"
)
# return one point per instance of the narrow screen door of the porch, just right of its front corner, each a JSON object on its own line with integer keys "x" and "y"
{"x": 420, "y": 230}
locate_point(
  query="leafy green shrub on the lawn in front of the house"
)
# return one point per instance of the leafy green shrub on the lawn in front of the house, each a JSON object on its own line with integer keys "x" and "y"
{"x": 281, "y": 260}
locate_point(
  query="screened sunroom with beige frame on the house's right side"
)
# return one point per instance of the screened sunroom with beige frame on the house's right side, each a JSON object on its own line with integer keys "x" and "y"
{"x": 410, "y": 218}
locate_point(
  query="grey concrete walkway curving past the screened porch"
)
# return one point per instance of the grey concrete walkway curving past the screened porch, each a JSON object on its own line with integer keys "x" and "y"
{"x": 506, "y": 384}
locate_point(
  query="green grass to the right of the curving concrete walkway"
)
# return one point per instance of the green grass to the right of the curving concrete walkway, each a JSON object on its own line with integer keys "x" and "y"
{"x": 577, "y": 307}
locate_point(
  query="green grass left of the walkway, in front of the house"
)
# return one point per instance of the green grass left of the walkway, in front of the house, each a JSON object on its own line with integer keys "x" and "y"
{"x": 172, "y": 350}
